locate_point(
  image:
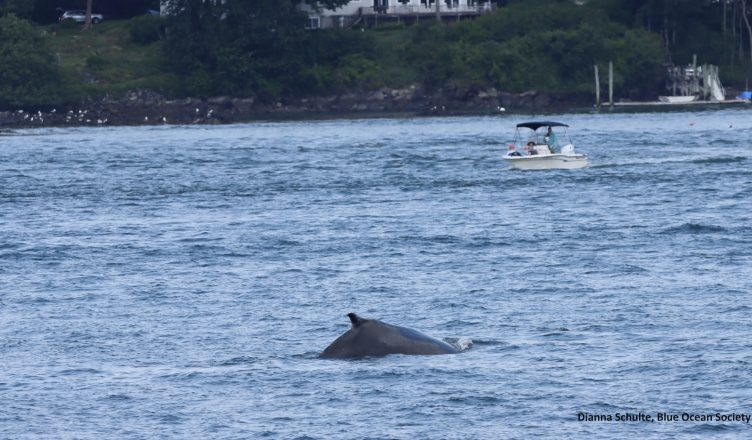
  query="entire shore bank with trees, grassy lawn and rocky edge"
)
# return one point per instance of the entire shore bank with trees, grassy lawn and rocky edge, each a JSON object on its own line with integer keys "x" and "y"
{"x": 214, "y": 62}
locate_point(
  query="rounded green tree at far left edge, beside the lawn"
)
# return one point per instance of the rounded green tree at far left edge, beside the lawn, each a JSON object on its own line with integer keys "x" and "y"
{"x": 28, "y": 69}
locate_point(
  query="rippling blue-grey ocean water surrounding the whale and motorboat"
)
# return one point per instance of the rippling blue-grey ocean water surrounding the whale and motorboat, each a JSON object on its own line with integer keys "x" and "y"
{"x": 179, "y": 282}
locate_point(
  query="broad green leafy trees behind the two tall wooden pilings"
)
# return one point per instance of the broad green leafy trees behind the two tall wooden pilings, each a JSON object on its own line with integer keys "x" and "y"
{"x": 542, "y": 45}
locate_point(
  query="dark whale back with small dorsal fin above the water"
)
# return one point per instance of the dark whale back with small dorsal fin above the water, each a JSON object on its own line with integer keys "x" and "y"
{"x": 370, "y": 337}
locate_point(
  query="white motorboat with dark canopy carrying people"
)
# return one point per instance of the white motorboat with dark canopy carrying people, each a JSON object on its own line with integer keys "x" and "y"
{"x": 541, "y": 151}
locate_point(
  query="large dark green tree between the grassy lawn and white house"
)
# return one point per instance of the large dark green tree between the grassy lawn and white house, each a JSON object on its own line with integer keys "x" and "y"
{"x": 243, "y": 47}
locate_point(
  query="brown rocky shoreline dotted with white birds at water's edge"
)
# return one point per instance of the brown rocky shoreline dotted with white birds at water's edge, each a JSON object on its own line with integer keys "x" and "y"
{"x": 144, "y": 107}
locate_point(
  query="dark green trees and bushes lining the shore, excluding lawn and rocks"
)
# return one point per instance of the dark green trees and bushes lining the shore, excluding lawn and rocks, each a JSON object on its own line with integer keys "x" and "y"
{"x": 261, "y": 48}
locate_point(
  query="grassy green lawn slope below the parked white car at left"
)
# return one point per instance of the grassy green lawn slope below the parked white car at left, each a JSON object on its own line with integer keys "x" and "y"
{"x": 103, "y": 60}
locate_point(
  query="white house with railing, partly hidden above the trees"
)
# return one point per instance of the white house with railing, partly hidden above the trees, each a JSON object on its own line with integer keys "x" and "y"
{"x": 367, "y": 11}
